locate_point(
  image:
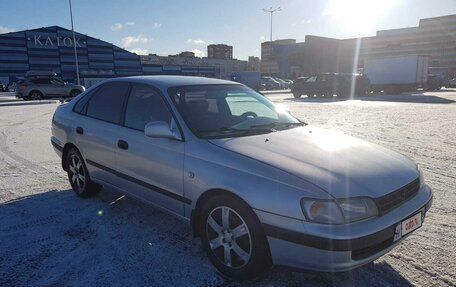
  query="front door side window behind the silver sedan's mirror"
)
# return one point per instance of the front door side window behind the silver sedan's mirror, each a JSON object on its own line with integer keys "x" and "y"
{"x": 145, "y": 105}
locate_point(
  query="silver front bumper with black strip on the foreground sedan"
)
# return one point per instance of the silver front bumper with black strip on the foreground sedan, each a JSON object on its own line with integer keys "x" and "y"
{"x": 338, "y": 248}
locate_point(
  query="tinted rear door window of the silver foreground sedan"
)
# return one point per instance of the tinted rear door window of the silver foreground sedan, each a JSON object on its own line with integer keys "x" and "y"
{"x": 107, "y": 103}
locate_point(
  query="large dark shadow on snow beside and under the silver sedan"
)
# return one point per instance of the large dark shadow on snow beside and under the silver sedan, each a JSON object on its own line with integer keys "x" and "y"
{"x": 56, "y": 238}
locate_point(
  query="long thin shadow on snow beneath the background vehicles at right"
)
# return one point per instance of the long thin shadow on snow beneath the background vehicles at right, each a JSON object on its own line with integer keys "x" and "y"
{"x": 416, "y": 97}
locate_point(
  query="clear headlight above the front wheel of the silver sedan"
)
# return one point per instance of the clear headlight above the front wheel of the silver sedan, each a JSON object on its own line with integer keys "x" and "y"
{"x": 340, "y": 211}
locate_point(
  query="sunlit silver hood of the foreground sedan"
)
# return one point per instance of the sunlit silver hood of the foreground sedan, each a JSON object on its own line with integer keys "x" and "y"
{"x": 342, "y": 165}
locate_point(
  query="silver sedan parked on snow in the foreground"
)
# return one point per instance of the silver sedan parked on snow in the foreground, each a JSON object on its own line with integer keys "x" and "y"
{"x": 259, "y": 186}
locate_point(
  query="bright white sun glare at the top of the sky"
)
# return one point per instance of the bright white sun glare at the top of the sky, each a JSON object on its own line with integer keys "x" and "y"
{"x": 358, "y": 17}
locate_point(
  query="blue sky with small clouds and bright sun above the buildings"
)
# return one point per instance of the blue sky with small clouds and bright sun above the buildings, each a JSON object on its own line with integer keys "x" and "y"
{"x": 169, "y": 27}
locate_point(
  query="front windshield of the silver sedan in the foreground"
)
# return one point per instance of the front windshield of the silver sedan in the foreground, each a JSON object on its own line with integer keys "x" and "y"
{"x": 218, "y": 111}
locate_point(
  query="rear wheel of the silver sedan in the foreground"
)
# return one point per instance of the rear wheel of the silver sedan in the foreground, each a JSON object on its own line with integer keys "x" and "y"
{"x": 79, "y": 176}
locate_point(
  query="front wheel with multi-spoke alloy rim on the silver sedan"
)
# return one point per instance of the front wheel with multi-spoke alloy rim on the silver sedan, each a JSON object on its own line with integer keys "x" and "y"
{"x": 233, "y": 239}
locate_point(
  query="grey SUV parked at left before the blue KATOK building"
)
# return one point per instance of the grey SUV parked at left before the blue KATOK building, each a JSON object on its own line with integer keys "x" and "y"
{"x": 39, "y": 85}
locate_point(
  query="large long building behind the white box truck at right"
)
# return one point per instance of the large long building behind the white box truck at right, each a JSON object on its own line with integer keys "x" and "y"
{"x": 434, "y": 37}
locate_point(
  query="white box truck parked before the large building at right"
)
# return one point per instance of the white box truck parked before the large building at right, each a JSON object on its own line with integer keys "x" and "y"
{"x": 397, "y": 73}
